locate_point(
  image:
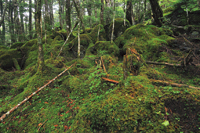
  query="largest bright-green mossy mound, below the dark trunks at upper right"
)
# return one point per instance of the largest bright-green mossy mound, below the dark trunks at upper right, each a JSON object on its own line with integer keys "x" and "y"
{"x": 146, "y": 39}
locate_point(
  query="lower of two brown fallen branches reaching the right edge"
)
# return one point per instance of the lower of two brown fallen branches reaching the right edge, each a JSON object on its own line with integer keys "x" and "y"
{"x": 173, "y": 84}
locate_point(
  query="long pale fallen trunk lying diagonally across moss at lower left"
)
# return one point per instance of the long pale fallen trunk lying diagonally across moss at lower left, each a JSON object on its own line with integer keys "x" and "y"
{"x": 26, "y": 99}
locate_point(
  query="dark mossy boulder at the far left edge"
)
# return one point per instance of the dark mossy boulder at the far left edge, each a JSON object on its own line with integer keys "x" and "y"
{"x": 6, "y": 58}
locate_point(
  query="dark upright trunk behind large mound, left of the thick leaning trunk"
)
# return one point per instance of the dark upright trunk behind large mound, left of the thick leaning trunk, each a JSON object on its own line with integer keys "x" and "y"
{"x": 129, "y": 11}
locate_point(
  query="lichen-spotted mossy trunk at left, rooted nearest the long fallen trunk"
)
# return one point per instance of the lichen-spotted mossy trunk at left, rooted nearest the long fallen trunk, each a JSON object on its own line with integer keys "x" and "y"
{"x": 39, "y": 37}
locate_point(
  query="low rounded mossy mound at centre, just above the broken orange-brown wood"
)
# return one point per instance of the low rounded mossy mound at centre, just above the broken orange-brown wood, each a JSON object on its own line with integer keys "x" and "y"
{"x": 103, "y": 47}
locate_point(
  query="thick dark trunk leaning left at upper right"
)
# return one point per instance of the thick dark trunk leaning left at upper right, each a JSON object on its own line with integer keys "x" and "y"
{"x": 157, "y": 12}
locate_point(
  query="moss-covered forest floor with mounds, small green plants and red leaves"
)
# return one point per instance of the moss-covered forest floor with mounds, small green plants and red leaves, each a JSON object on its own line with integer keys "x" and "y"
{"x": 82, "y": 101}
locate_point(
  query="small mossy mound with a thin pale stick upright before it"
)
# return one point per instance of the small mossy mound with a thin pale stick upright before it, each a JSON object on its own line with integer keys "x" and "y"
{"x": 98, "y": 32}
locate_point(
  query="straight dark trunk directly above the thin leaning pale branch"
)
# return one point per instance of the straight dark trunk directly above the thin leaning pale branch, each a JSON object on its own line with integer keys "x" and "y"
{"x": 68, "y": 17}
